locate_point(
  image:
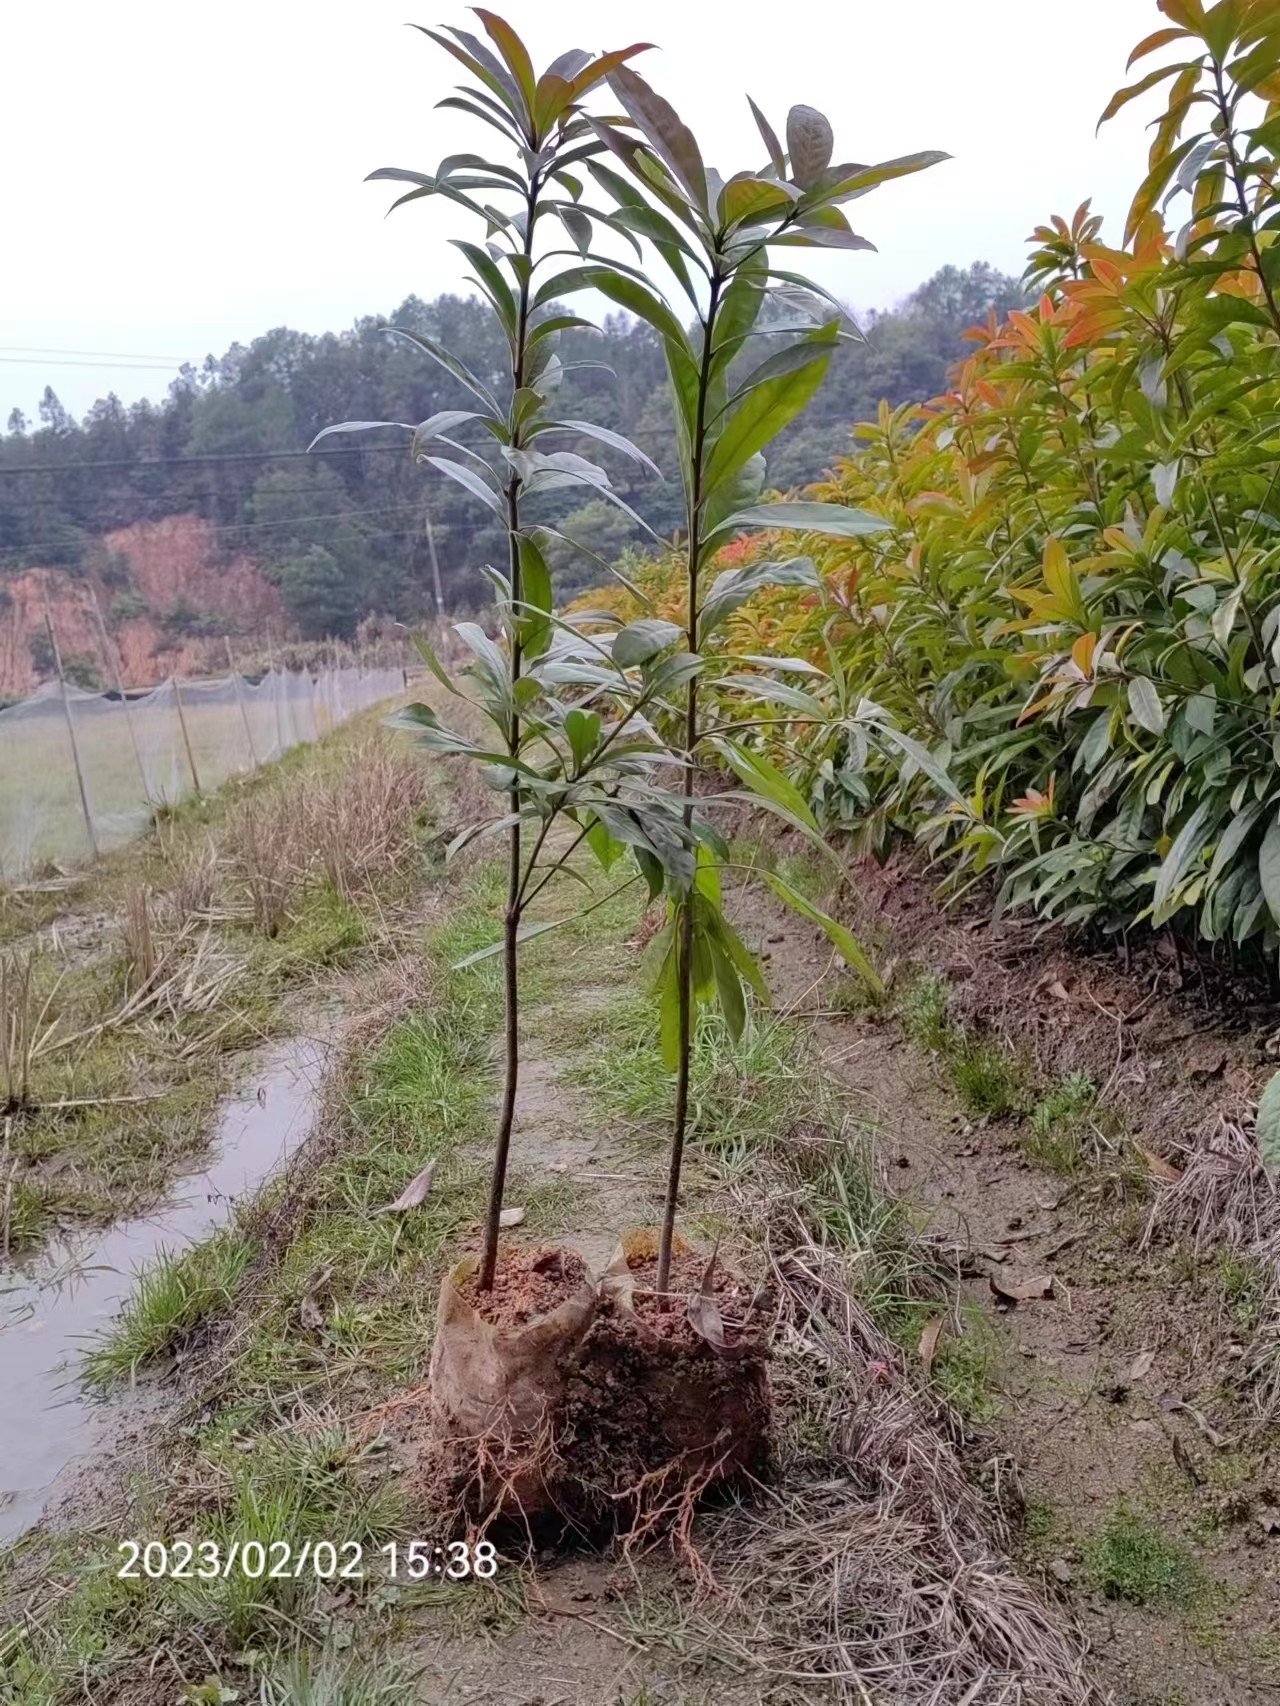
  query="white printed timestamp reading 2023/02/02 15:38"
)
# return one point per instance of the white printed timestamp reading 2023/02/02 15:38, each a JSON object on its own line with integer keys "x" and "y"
{"x": 325, "y": 1560}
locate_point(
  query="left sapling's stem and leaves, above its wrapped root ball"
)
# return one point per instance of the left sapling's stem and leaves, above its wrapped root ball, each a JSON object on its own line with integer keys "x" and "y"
{"x": 586, "y": 763}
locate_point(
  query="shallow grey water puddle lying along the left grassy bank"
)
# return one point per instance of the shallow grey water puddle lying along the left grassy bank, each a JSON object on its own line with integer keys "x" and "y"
{"x": 71, "y": 1294}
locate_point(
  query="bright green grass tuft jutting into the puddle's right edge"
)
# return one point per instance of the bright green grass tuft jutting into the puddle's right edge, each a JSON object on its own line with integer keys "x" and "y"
{"x": 172, "y": 1299}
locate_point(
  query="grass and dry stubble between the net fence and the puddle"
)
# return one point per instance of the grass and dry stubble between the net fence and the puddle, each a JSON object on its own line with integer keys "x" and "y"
{"x": 177, "y": 961}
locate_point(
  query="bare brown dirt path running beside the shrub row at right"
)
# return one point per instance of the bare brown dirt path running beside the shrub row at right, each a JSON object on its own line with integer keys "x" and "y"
{"x": 1115, "y": 1400}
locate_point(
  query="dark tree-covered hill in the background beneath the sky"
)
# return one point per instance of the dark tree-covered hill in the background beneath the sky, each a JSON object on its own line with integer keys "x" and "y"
{"x": 342, "y": 531}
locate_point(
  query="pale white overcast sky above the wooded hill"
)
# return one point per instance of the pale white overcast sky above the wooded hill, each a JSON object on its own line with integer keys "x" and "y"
{"x": 192, "y": 177}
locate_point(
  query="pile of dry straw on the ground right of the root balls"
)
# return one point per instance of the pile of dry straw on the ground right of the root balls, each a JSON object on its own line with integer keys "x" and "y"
{"x": 885, "y": 1581}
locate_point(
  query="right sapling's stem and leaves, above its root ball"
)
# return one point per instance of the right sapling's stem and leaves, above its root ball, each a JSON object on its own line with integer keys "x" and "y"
{"x": 716, "y": 240}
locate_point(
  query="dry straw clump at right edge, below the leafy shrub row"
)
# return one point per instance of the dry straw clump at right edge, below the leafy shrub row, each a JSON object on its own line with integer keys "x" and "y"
{"x": 1226, "y": 1197}
